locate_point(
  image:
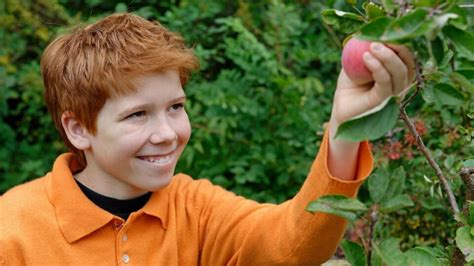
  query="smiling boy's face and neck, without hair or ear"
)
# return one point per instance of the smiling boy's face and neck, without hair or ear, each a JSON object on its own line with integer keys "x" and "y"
{"x": 139, "y": 139}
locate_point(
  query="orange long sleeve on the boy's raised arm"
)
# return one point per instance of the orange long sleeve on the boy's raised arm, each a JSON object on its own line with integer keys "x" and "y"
{"x": 237, "y": 231}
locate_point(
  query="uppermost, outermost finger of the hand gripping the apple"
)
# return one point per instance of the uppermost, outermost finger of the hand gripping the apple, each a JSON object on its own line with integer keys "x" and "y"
{"x": 393, "y": 64}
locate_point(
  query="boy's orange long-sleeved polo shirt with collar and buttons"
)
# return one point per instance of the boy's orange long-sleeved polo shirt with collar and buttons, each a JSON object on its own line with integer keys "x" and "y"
{"x": 190, "y": 222}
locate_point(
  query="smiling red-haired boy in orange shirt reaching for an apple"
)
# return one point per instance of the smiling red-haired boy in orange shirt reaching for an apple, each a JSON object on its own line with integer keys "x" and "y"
{"x": 114, "y": 90}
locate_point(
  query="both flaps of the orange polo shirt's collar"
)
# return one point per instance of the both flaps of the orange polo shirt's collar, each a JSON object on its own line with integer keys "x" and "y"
{"x": 76, "y": 215}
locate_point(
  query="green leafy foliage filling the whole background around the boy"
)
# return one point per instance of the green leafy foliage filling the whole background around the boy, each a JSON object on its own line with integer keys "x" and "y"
{"x": 259, "y": 103}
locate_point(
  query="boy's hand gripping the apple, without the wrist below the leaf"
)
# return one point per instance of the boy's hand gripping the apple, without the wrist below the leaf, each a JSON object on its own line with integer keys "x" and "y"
{"x": 393, "y": 70}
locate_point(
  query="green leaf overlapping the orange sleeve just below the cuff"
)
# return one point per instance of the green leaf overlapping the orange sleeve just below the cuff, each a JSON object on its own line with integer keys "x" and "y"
{"x": 338, "y": 205}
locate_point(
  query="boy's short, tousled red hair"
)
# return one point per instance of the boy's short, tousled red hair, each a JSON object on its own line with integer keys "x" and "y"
{"x": 85, "y": 67}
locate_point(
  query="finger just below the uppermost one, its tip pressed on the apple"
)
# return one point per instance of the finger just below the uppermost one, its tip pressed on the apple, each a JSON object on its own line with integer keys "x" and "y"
{"x": 383, "y": 80}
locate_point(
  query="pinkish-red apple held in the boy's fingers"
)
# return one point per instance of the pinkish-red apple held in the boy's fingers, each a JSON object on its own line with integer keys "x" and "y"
{"x": 353, "y": 63}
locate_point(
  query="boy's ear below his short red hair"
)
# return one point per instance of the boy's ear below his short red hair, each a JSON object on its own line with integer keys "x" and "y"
{"x": 76, "y": 133}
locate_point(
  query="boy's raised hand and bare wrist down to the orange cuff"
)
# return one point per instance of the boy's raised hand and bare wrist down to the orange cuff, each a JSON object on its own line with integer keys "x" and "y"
{"x": 393, "y": 69}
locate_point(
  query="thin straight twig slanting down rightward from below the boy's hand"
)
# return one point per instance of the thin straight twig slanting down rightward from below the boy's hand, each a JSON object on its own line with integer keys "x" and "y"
{"x": 432, "y": 162}
